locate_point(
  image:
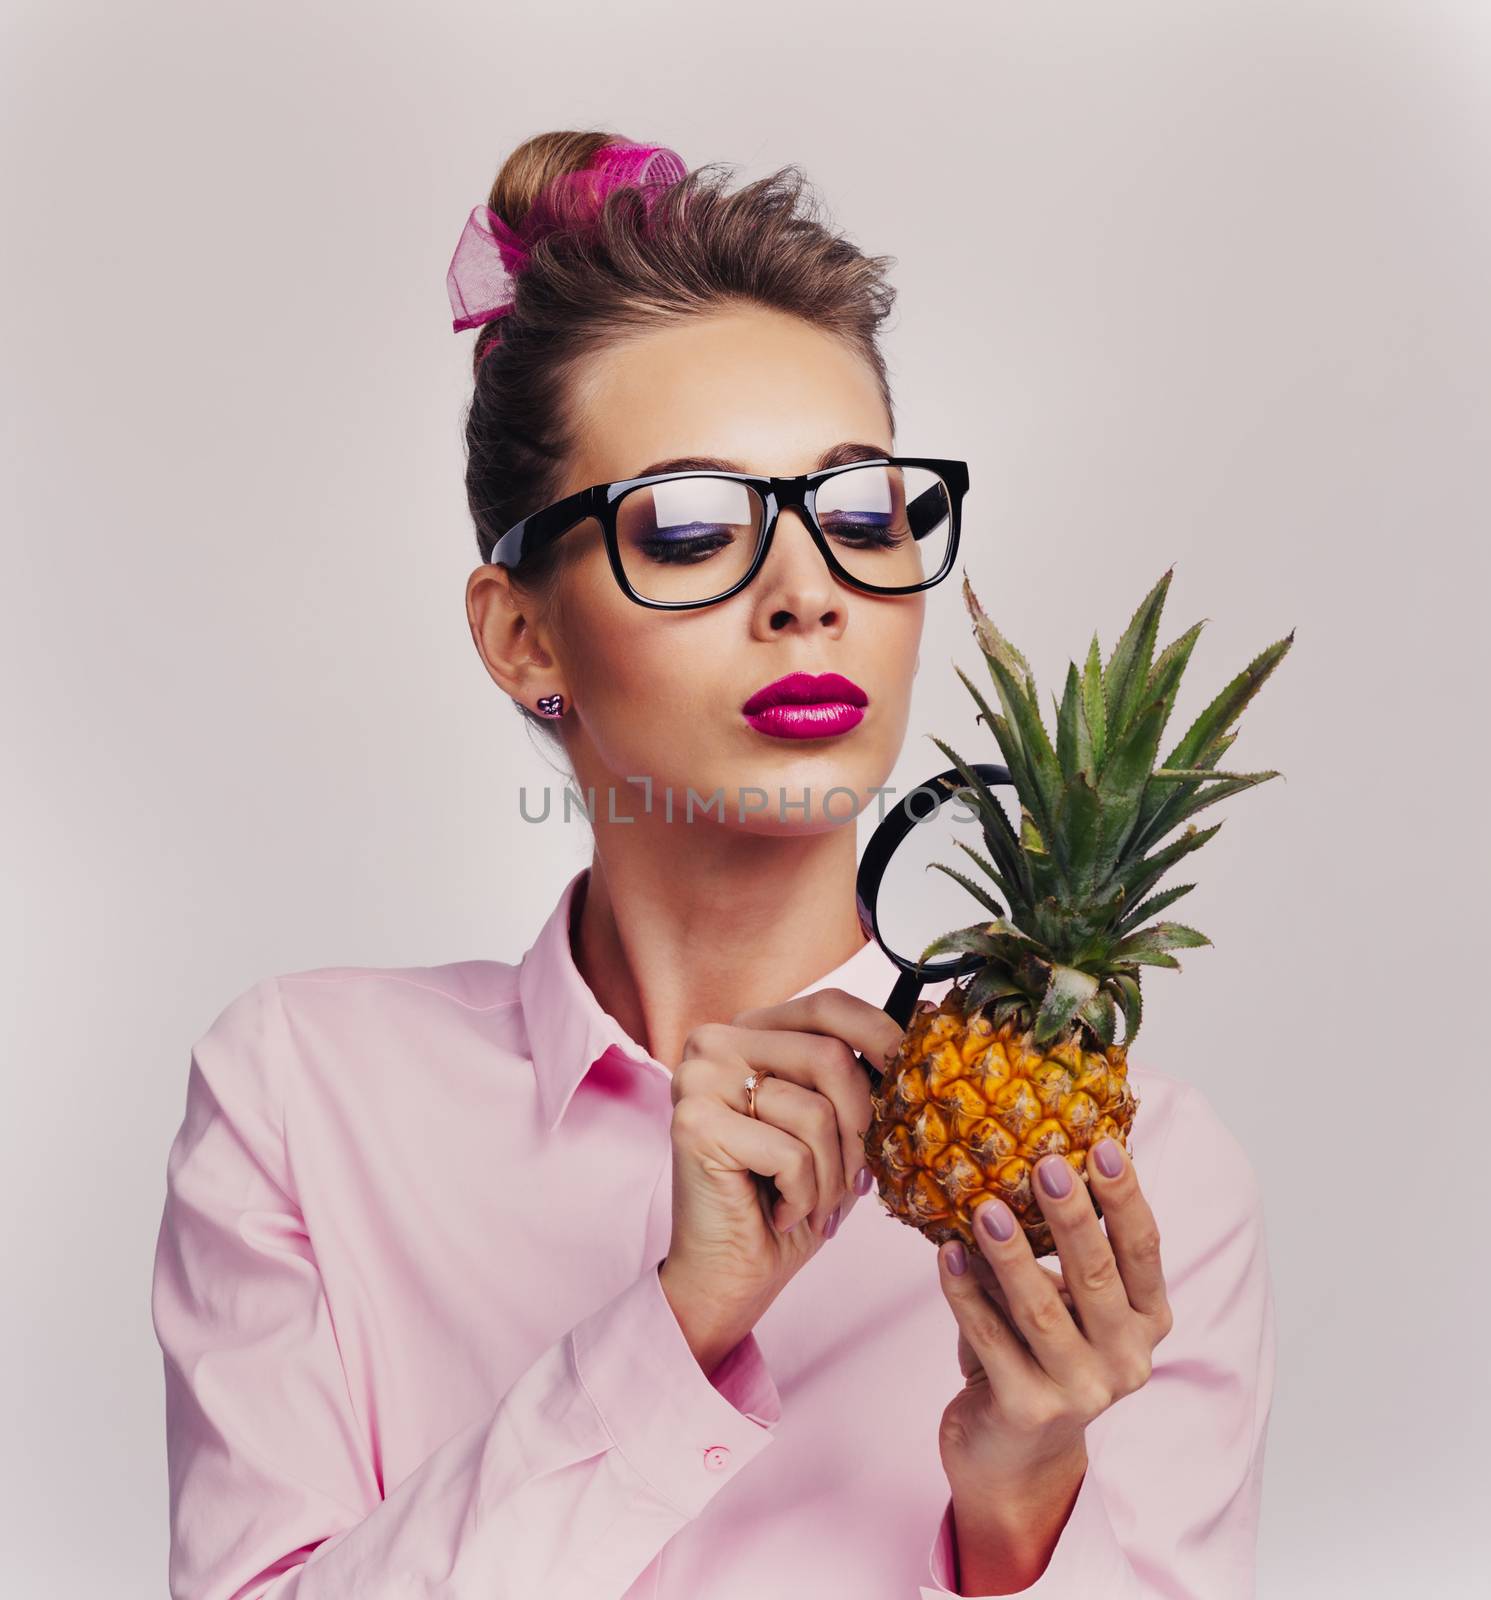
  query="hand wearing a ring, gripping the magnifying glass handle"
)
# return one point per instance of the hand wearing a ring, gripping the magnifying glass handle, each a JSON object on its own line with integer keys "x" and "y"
{"x": 734, "y": 1246}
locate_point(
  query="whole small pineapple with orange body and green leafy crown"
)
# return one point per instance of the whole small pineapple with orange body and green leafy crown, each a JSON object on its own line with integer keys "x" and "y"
{"x": 1021, "y": 1058}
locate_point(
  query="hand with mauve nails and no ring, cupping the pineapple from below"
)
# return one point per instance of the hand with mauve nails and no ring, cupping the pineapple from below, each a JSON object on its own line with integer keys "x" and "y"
{"x": 1045, "y": 1353}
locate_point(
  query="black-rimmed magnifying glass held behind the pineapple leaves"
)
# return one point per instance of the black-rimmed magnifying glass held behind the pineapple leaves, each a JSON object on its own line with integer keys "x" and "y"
{"x": 905, "y": 910}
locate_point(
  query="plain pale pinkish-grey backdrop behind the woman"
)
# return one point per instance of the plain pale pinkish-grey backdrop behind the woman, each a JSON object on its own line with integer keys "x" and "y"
{"x": 1193, "y": 282}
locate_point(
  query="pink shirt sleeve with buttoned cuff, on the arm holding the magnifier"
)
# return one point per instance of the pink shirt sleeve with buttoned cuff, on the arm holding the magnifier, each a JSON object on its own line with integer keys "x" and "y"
{"x": 609, "y": 1444}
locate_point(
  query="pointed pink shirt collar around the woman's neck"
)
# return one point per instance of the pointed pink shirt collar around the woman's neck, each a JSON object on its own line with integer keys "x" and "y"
{"x": 569, "y": 1031}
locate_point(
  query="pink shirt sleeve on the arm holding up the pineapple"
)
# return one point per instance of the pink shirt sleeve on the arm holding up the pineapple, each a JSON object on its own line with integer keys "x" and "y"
{"x": 1172, "y": 1497}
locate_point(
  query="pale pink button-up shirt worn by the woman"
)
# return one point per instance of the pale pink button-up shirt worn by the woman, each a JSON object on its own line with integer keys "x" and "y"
{"x": 415, "y": 1340}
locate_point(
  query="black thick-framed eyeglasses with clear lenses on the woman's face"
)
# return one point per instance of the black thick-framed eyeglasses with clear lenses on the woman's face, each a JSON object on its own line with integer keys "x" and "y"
{"x": 684, "y": 540}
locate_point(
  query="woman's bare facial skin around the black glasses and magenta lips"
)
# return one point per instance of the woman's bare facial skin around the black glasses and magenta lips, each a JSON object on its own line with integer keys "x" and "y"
{"x": 662, "y": 694}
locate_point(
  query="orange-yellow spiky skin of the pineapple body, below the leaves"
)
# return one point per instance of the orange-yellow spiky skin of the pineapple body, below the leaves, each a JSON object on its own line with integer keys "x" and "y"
{"x": 967, "y": 1110}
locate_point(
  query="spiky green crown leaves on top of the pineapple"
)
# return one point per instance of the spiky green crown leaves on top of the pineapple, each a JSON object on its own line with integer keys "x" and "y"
{"x": 1095, "y": 809}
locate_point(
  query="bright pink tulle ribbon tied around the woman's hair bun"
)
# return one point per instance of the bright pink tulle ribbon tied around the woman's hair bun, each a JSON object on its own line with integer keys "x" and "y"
{"x": 490, "y": 255}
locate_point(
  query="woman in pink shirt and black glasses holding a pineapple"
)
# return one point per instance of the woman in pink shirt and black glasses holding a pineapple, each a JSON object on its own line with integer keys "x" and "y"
{"x": 497, "y": 1279}
